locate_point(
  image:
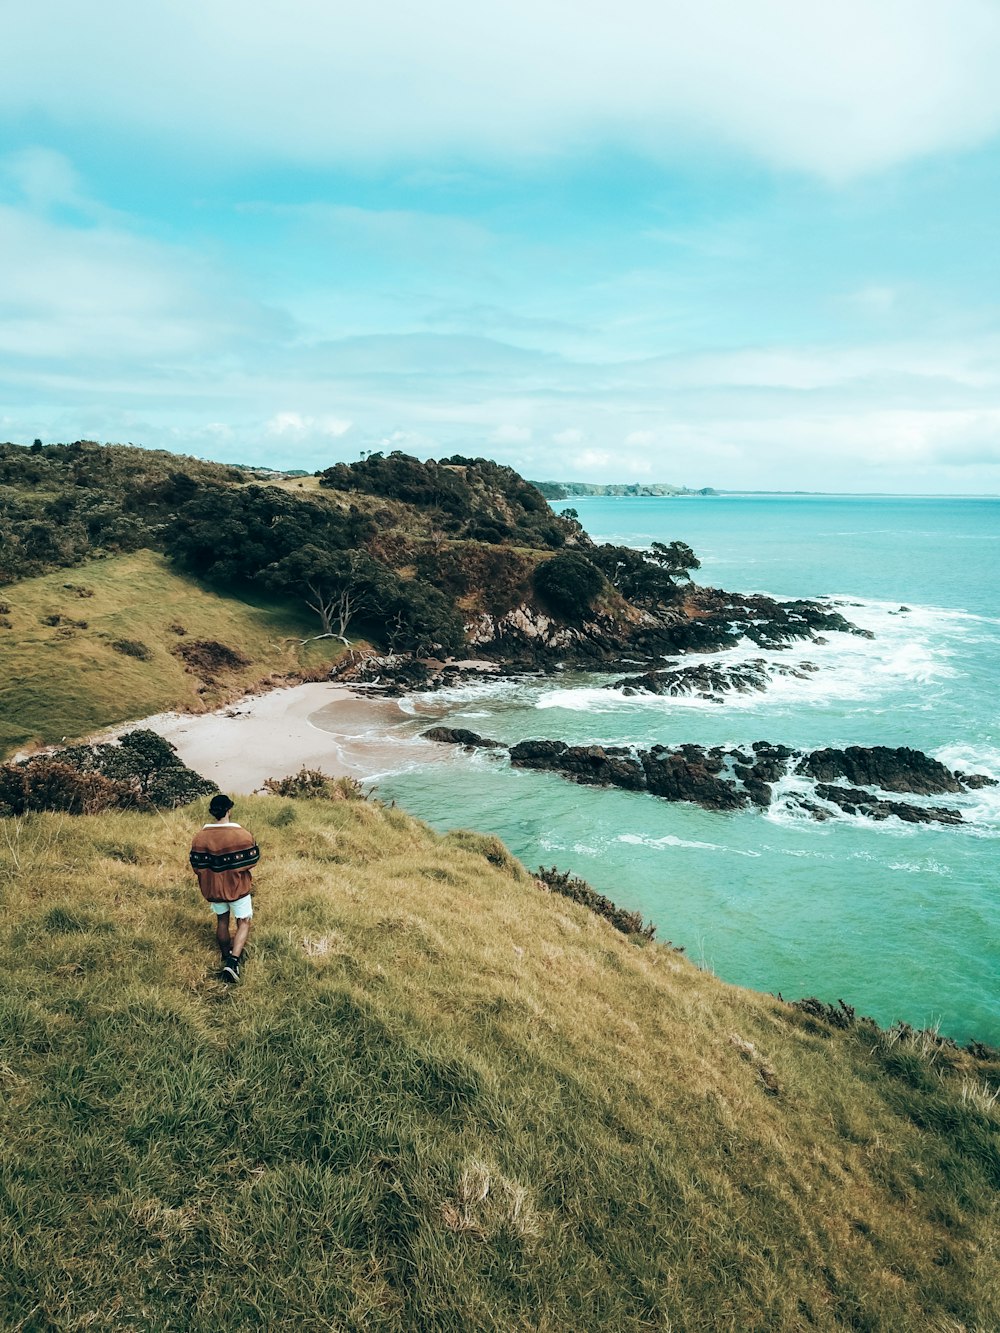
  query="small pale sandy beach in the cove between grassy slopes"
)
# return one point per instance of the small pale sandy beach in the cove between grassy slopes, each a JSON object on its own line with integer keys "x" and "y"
{"x": 271, "y": 735}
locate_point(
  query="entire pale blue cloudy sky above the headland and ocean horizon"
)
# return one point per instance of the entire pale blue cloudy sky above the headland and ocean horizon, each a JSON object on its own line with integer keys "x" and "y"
{"x": 746, "y": 243}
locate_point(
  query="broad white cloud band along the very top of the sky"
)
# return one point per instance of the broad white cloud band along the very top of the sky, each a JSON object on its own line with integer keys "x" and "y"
{"x": 819, "y": 87}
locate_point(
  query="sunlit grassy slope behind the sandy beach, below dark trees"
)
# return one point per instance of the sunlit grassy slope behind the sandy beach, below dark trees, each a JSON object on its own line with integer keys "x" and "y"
{"x": 67, "y": 678}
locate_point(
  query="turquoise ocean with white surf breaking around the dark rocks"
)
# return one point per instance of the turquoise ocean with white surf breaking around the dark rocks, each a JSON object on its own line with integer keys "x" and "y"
{"x": 899, "y": 920}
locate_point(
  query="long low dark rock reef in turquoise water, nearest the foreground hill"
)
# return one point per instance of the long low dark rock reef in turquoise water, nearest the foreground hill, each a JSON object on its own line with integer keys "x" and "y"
{"x": 721, "y": 779}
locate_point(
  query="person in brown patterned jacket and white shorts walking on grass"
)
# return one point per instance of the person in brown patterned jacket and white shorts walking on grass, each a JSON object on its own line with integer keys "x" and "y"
{"x": 222, "y": 855}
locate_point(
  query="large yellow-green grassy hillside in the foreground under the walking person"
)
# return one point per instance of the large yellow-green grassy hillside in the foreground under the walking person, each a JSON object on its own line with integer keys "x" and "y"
{"x": 446, "y": 1100}
